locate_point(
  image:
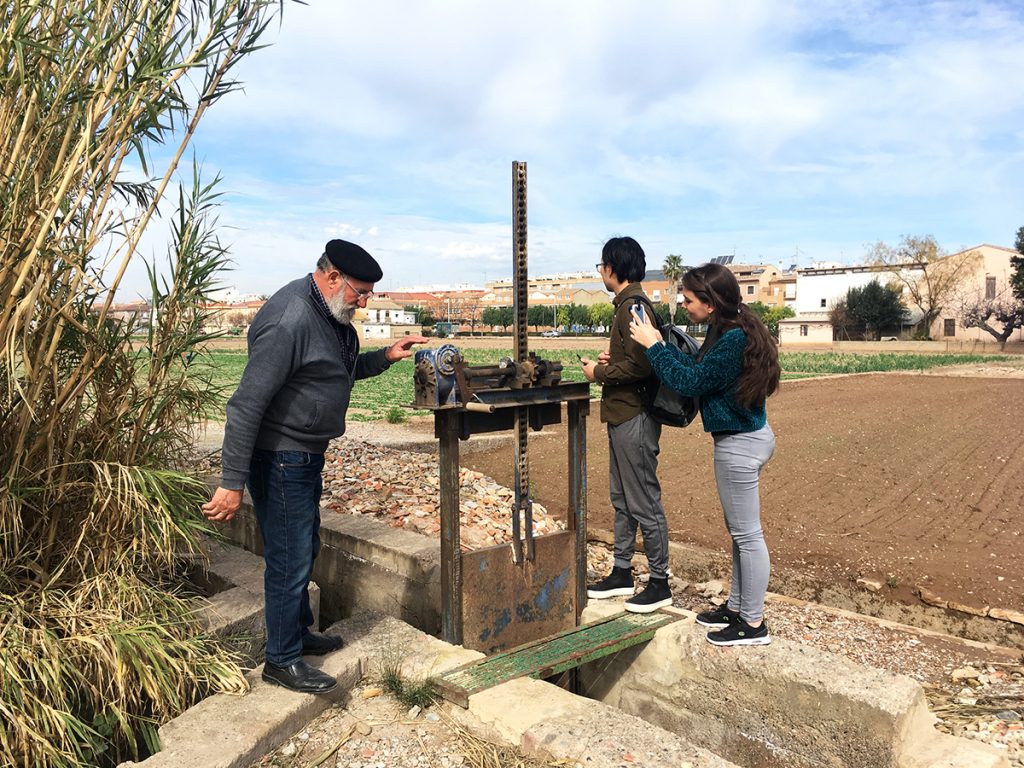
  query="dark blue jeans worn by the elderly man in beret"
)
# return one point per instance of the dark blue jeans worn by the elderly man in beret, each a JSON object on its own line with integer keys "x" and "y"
{"x": 286, "y": 488}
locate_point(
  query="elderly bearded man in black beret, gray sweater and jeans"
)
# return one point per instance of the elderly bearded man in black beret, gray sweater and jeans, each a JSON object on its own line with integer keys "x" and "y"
{"x": 304, "y": 360}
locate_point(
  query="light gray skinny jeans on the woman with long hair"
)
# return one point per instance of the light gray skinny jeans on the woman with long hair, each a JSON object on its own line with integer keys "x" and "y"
{"x": 739, "y": 461}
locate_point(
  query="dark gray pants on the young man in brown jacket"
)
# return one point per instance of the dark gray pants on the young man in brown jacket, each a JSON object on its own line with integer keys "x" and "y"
{"x": 636, "y": 494}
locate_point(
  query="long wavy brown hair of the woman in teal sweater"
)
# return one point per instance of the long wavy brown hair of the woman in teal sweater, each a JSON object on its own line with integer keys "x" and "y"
{"x": 715, "y": 285}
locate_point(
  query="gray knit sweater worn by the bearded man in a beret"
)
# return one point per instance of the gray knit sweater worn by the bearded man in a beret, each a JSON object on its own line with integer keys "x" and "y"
{"x": 295, "y": 390}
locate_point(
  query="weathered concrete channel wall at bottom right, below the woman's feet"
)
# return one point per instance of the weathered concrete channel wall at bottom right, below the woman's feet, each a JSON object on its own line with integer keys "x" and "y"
{"x": 783, "y": 706}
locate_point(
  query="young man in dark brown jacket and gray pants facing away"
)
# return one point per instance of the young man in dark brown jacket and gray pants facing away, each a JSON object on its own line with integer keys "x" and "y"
{"x": 633, "y": 437}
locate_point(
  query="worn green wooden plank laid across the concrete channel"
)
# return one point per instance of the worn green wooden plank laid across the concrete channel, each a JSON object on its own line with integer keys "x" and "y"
{"x": 552, "y": 656}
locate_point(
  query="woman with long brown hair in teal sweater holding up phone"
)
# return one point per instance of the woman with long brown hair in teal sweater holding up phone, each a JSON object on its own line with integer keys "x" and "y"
{"x": 734, "y": 374}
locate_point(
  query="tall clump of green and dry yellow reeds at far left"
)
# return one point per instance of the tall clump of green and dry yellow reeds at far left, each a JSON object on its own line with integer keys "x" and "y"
{"x": 98, "y": 647}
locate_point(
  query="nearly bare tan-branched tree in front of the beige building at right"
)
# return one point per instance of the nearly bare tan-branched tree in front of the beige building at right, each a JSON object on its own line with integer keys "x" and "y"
{"x": 937, "y": 279}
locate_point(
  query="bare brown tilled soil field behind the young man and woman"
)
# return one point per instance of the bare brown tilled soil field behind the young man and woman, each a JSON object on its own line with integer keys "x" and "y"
{"x": 907, "y": 479}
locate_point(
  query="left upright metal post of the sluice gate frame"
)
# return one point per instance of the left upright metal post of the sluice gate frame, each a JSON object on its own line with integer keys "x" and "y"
{"x": 451, "y": 545}
